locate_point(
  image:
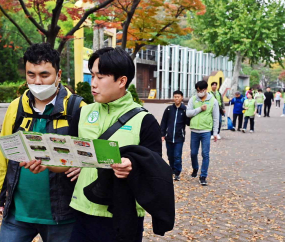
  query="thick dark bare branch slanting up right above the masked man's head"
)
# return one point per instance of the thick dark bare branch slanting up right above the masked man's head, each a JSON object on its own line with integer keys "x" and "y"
{"x": 81, "y": 21}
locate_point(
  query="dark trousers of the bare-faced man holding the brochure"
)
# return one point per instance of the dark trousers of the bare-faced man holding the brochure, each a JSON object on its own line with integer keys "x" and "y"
{"x": 89, "y": 228}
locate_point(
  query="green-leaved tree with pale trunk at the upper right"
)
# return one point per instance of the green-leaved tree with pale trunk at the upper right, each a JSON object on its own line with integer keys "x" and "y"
{"x": 242, "y": 29}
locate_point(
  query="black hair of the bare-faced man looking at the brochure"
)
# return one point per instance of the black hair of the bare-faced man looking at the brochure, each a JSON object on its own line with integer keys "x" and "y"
{"x": 115, "y": 62}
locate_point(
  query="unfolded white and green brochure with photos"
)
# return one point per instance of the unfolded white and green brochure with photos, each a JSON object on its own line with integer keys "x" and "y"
{"x": 60, "y": 150}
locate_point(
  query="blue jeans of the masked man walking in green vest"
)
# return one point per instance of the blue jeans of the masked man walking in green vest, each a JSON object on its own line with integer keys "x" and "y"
{"x": 205, "y": 139}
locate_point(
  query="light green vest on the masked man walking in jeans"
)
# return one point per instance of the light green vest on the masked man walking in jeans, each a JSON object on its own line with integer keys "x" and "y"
{"x": 203, "y": 120}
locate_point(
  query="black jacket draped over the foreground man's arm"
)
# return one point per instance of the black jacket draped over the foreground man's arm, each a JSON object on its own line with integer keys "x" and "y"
{"x": 149, "y": 183}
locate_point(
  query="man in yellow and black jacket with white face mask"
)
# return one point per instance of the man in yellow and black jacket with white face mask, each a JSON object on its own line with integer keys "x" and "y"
{"x": 39, "y": 203}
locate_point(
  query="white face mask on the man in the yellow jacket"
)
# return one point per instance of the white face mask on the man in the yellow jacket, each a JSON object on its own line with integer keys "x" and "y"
{"x": 43, "y": 92}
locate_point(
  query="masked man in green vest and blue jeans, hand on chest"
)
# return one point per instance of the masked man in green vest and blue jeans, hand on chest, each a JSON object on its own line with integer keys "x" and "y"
{"x": 203, "y": 109}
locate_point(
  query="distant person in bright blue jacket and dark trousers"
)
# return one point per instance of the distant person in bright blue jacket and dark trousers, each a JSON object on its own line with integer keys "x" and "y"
{"x": 237, "y": 101}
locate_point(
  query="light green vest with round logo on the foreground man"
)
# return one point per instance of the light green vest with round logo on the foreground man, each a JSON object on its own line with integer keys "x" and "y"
{"x": 95, "y": 119}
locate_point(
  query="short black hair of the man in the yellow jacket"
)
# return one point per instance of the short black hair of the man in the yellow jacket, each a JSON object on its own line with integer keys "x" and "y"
{"x": 37, "y": 53}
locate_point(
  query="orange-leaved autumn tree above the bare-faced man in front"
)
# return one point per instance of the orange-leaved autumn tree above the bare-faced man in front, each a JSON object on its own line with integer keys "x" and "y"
{"x": 145, "y": 22}
